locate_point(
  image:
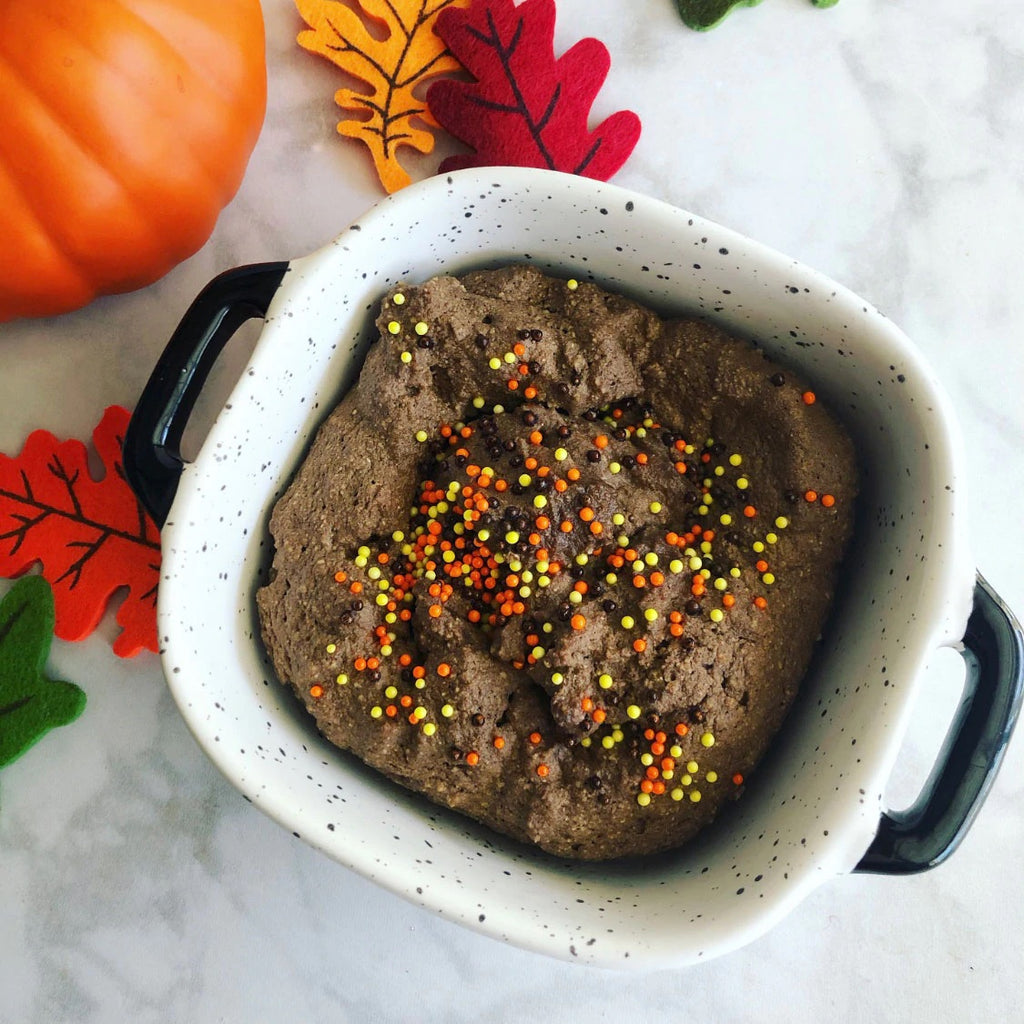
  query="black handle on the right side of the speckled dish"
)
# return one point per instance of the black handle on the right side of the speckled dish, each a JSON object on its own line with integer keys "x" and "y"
{"x": 927, "y": 833}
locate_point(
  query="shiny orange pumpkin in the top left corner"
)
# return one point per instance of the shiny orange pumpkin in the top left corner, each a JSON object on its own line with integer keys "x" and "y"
{"x": 125, "y": 129}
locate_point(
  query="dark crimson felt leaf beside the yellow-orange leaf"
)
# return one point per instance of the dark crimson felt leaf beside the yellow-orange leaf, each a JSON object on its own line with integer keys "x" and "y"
{"x": 527, "y": 108}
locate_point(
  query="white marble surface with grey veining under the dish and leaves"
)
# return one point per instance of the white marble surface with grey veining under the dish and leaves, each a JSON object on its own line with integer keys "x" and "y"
{"x": 880, "y": 143}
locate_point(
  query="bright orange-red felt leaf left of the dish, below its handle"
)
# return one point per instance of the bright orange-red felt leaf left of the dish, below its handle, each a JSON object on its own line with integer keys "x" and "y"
{"x": 92, "y": 536}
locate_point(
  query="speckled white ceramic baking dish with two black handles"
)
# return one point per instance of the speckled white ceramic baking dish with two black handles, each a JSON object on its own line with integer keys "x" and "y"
{"x": 815, "y": 809}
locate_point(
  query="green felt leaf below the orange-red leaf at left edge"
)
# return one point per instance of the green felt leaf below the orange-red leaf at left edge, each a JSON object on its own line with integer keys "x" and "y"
{"x": 31, "y": 704}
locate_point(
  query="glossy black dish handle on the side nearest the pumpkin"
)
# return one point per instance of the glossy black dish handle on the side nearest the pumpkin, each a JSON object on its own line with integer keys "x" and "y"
{"x": 152, "y": 449}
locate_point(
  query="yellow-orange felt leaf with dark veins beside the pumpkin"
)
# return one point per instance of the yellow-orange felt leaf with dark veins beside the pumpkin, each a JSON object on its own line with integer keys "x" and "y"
{"x": 409, "y": 55}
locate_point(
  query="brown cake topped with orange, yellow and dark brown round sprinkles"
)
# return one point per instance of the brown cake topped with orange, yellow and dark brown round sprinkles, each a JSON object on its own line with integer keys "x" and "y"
{"x": 558, "y": 564}
